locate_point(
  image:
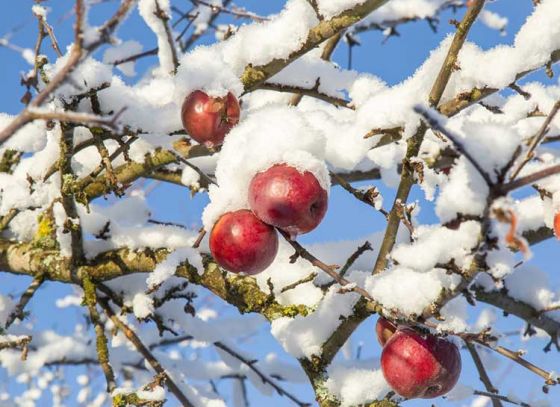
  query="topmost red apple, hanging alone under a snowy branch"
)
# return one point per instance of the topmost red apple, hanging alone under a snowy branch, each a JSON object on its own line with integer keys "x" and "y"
{"x": 208, "y": 119}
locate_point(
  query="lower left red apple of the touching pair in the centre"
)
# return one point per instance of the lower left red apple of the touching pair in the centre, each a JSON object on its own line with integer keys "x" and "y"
{"x": 240, "y": 242}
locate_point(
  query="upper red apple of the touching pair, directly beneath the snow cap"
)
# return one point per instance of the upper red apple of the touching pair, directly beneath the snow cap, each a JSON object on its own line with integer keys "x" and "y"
{"x": 291, "y": 200}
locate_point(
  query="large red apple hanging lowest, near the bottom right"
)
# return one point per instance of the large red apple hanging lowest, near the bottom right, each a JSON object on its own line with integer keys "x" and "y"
{"x": 420, "y": 366}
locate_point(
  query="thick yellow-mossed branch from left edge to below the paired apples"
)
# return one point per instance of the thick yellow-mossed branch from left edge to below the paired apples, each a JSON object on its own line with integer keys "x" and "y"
{"x": 242, "y": 292}
